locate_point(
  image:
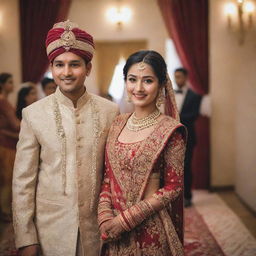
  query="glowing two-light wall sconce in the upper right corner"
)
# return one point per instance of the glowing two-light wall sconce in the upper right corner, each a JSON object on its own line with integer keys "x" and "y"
{"x": 240, "y": 13}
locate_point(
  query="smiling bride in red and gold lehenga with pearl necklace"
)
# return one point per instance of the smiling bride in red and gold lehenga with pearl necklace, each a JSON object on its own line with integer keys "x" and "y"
{"x": 141, "y": 207}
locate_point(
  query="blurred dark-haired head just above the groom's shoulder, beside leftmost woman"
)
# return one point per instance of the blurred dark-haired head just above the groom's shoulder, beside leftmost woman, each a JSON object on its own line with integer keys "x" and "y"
{"x": 26, "y": 96}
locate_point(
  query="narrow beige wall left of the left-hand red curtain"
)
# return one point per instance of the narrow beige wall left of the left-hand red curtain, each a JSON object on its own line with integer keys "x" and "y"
{"x": 10, "y": 42}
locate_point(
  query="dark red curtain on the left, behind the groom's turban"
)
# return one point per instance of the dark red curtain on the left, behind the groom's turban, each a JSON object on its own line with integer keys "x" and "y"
{"x": 36, "y": 18}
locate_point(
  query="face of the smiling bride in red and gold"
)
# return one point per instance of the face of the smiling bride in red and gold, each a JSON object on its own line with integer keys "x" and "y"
{"x": 142, "y": 85}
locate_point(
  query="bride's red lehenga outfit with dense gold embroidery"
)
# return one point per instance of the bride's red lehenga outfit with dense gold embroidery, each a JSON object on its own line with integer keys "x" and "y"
{"x": 130, "y": 169}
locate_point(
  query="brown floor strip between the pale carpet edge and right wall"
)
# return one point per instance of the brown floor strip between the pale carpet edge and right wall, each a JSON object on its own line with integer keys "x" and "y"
{"x": 247, "y": 216}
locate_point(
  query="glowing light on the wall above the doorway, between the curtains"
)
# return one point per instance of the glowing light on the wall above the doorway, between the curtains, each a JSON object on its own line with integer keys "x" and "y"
{"x": 119, "y": 15}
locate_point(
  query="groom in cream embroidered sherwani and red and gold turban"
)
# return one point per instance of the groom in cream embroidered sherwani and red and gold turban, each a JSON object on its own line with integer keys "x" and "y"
{"x": 60, "y": 154}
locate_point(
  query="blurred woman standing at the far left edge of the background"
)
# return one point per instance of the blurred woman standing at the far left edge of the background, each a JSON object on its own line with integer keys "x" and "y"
{"x": 9, "y": 129}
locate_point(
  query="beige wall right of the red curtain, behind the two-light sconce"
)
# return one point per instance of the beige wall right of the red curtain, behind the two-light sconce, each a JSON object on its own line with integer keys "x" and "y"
{"x": 233, "y": 90}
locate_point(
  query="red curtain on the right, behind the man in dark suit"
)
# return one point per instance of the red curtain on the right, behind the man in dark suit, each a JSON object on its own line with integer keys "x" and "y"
{"x": 187, "y": 24}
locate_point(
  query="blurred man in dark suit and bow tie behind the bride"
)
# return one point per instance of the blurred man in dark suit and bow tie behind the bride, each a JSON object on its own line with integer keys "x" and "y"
{"x": 188, "y": 103}
